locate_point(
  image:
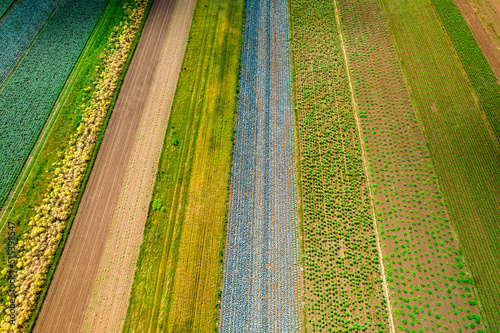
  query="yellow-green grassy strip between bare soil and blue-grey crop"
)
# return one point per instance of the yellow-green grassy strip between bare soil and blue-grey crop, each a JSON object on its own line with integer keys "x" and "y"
{"x": 179, "y": 268}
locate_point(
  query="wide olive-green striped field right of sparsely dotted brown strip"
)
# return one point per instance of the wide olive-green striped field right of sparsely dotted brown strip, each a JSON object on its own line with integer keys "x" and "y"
{"x": 459, "y": 138}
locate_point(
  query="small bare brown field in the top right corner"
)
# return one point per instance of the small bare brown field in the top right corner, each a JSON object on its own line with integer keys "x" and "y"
{"x": 483, "y": 19}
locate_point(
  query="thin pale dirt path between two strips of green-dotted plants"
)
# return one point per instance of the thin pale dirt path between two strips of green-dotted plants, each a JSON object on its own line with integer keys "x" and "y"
{"x": 375, "y": 225}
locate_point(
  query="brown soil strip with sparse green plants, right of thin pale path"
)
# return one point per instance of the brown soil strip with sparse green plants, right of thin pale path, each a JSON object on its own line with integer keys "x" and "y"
{"x": 428, "y": 284}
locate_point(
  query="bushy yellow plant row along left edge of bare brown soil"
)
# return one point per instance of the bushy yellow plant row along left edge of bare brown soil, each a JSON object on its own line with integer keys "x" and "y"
{"x": 37, "y": 248}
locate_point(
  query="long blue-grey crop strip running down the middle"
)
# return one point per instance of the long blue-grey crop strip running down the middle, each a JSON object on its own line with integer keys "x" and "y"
{"x": 261, "y": 280}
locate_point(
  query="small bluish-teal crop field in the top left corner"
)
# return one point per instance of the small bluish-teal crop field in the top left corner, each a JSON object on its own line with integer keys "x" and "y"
{"x": 18, "y": 29}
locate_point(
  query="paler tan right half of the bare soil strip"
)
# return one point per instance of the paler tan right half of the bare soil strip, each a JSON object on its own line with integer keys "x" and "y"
{"x": 108, "y": 305}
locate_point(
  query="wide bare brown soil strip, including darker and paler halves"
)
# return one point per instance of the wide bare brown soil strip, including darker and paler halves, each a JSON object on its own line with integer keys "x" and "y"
{"x": 92, "y": 283}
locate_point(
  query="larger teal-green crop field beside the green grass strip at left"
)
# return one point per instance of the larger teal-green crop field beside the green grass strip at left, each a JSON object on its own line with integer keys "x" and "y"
{"x": 31, "y": 91}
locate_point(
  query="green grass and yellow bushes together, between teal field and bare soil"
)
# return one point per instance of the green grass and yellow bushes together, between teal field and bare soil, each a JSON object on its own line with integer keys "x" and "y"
{"x": 39, "y": 221}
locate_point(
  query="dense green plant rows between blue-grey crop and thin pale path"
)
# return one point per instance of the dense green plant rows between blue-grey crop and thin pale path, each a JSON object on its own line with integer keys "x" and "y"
{"x": 342, "y": 275}
